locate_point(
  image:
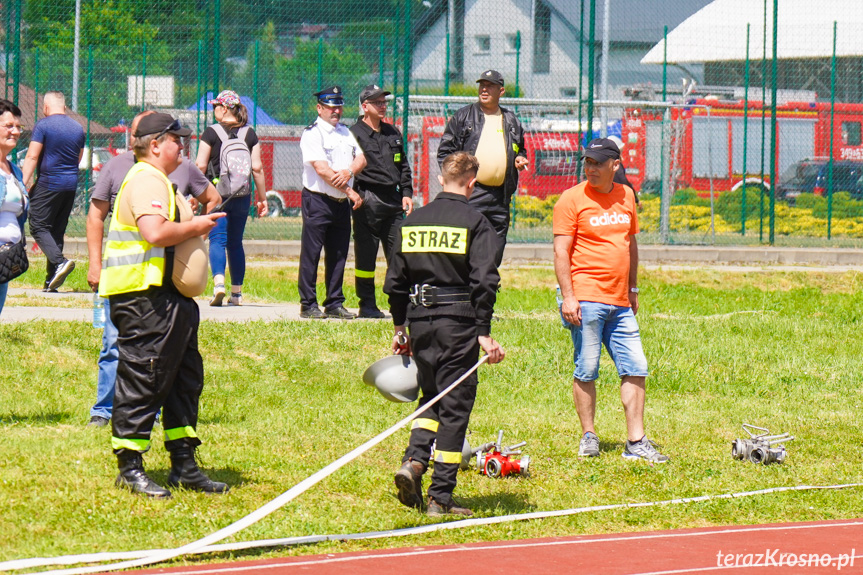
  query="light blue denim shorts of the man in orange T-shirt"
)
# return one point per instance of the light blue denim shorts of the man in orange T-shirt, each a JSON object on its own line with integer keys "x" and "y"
{"x": 614, "y": 326}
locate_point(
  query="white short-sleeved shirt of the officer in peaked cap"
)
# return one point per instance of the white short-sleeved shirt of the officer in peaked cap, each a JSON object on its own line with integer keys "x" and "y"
{"x": 334, "y": 145}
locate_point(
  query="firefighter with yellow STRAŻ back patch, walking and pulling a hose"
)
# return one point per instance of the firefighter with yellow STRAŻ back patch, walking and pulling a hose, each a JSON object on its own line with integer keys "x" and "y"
{"x": 443, "y": 278}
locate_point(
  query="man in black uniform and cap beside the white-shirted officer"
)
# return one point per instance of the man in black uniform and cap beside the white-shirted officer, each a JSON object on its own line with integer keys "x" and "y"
{"x": 386, "y": 188}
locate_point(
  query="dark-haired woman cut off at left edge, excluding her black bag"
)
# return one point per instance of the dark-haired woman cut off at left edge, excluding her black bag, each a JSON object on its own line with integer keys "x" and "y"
{"x": 13, "y": 196}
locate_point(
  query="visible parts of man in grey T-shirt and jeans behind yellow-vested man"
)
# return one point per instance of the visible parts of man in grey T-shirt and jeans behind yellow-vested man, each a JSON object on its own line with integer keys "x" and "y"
{"x": 189, "y": 181}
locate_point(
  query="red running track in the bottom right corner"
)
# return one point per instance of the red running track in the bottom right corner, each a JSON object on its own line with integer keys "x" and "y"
{"x": 807, "y": 548}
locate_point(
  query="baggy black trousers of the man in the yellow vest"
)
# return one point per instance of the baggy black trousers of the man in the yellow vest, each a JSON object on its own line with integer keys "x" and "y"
{"x": 159, "y": 367}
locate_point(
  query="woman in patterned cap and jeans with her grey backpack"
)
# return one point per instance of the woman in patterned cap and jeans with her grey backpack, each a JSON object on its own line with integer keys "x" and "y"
{"x": 229, "y": 154}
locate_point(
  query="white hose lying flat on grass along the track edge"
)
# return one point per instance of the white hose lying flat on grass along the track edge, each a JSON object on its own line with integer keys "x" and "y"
{"x": 308, "y": 539}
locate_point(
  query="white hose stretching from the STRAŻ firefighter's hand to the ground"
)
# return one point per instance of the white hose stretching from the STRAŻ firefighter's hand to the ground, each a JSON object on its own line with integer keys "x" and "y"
{"x": 276, "y": 503}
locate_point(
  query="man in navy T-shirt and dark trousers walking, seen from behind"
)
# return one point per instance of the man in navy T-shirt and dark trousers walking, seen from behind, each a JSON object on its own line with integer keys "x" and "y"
{"x": 55, "y": 151}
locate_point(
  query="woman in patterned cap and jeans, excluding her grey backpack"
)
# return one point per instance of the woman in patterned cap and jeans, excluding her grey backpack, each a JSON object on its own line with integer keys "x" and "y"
{"x": 233, "y": 119}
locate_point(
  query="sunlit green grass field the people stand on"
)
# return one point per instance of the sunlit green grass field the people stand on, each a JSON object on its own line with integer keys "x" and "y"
{"x": 284, "y": 399}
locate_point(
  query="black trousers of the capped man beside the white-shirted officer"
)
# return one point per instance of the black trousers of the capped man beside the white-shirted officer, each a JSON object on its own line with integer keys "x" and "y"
{"x": 376, "y": 220}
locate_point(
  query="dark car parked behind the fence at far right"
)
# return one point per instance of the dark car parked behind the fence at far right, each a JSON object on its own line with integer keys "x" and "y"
{"x": 810, "y": 177}
